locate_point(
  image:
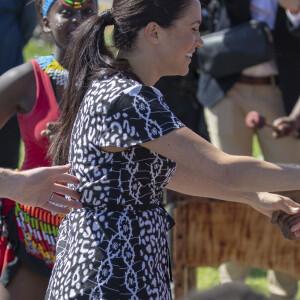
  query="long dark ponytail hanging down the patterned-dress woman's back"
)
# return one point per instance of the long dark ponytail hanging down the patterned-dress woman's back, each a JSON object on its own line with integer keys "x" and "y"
{"x": 87, "y": 57}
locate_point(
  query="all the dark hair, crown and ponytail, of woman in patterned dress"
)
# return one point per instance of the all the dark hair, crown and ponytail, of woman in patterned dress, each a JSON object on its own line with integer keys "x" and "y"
{"x": 88, "y": 56}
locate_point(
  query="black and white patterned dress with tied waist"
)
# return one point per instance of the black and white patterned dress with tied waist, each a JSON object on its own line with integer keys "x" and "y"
{"x": 115, "y": 247}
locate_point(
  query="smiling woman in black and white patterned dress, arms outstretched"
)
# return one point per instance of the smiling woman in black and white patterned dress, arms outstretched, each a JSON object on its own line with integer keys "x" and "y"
{"x": 124, "y": 147}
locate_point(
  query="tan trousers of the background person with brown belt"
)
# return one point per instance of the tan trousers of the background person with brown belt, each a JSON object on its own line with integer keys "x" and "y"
{"x": 228, "y": 132}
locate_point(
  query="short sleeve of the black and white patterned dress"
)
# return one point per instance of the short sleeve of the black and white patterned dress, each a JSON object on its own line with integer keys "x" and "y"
{"x": 137, "y": 116}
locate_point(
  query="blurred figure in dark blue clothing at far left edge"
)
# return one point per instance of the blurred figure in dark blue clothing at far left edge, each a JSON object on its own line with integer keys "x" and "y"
{"x": 17, "y": 22}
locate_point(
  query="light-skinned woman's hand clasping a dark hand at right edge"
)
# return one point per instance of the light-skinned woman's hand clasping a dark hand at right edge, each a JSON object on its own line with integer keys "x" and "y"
{"x": 267, "y": 203}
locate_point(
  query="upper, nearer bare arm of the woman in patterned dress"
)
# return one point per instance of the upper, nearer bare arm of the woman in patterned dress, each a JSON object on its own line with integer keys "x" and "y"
{"x": 240, "y": 173}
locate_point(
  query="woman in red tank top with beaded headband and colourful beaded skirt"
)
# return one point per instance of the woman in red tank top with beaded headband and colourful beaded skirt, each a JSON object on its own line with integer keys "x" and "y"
{"x": 34, "y": 91}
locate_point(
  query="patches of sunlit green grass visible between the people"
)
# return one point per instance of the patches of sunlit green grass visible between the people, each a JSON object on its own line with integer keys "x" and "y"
{"x": 207, "y": 277}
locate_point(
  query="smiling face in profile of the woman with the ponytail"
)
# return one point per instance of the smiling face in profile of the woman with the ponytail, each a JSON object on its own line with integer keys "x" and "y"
{"x": 180, "y": 41}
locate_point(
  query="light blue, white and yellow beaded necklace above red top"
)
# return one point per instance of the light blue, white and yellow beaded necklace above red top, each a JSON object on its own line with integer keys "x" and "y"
{"x": 58, "y": 74}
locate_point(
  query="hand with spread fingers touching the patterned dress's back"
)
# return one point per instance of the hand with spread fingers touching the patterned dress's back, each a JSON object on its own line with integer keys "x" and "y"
{"x": 35, "y": 187}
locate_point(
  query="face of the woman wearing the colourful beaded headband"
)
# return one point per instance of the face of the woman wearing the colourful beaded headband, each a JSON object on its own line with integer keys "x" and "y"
{"x": 62, "y": 20}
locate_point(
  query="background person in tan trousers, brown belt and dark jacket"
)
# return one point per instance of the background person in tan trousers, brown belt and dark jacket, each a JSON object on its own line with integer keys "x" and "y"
{"x": 271, "y": 88}
